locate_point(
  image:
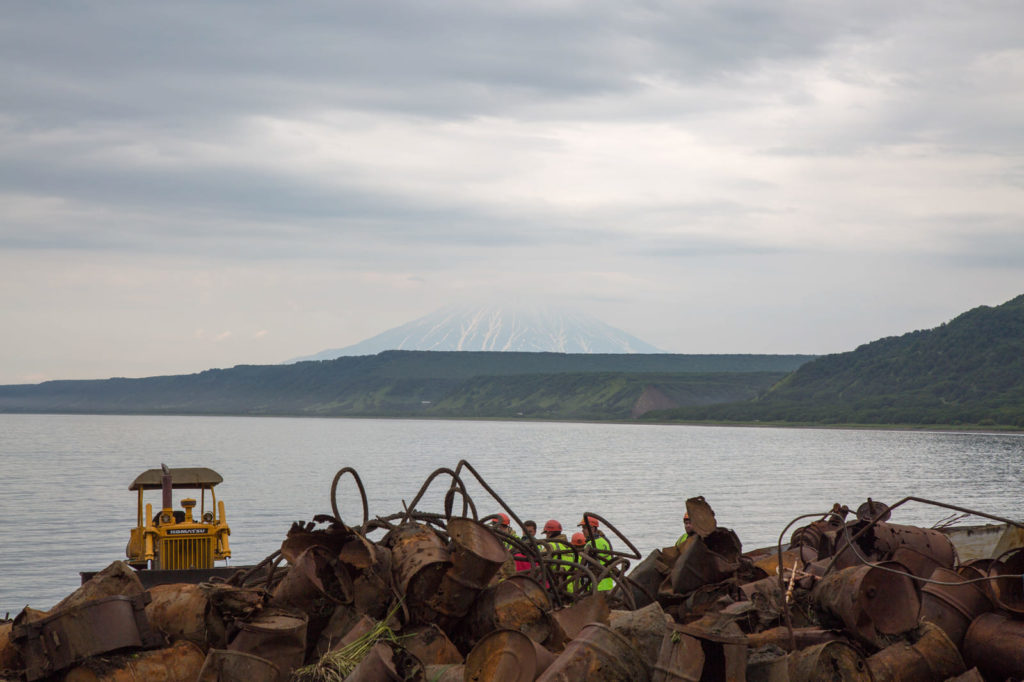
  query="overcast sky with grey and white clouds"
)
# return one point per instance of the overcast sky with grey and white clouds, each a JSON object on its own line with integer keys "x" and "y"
{"x": 195, "y": 185}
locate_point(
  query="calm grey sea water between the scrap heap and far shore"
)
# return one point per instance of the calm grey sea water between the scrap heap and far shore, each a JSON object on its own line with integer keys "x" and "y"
{"x": 66, "y": 506}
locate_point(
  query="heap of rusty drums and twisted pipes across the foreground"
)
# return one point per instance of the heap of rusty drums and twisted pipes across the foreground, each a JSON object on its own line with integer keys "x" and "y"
{"x": 437, "y": 598}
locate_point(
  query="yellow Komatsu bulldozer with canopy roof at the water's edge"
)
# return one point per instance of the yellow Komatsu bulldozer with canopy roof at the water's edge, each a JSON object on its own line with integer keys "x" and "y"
{"x": 180, "y": 539}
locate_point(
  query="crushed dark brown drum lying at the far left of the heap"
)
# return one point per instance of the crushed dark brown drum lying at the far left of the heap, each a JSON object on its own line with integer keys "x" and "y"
{"x": 70, "y": 635}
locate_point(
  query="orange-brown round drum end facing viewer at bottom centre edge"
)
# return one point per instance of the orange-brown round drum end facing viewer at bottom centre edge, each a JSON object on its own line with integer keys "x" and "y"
{"x": 507, "y": 655}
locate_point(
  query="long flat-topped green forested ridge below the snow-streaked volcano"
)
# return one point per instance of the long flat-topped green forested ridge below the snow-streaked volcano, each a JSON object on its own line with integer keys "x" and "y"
{"x": 429, "y": 385}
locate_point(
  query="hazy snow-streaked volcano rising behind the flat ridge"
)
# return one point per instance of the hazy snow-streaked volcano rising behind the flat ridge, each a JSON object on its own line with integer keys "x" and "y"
{"x": 498, "y": 328}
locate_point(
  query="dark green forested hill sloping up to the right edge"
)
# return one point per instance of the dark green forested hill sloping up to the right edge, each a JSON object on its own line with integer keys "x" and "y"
{"x": 969, "y": 371}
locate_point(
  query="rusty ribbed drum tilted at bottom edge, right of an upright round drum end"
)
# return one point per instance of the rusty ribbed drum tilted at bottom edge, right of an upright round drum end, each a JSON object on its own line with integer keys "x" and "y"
{"x": 598, "y": 655}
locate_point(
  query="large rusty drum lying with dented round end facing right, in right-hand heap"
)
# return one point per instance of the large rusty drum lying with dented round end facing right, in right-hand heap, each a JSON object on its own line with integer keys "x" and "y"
{"x": 871, "y": 601}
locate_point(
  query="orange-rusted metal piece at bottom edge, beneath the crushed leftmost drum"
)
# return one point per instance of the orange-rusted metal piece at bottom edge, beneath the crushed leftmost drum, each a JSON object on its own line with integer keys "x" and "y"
{"x": 181, "y": 663}
